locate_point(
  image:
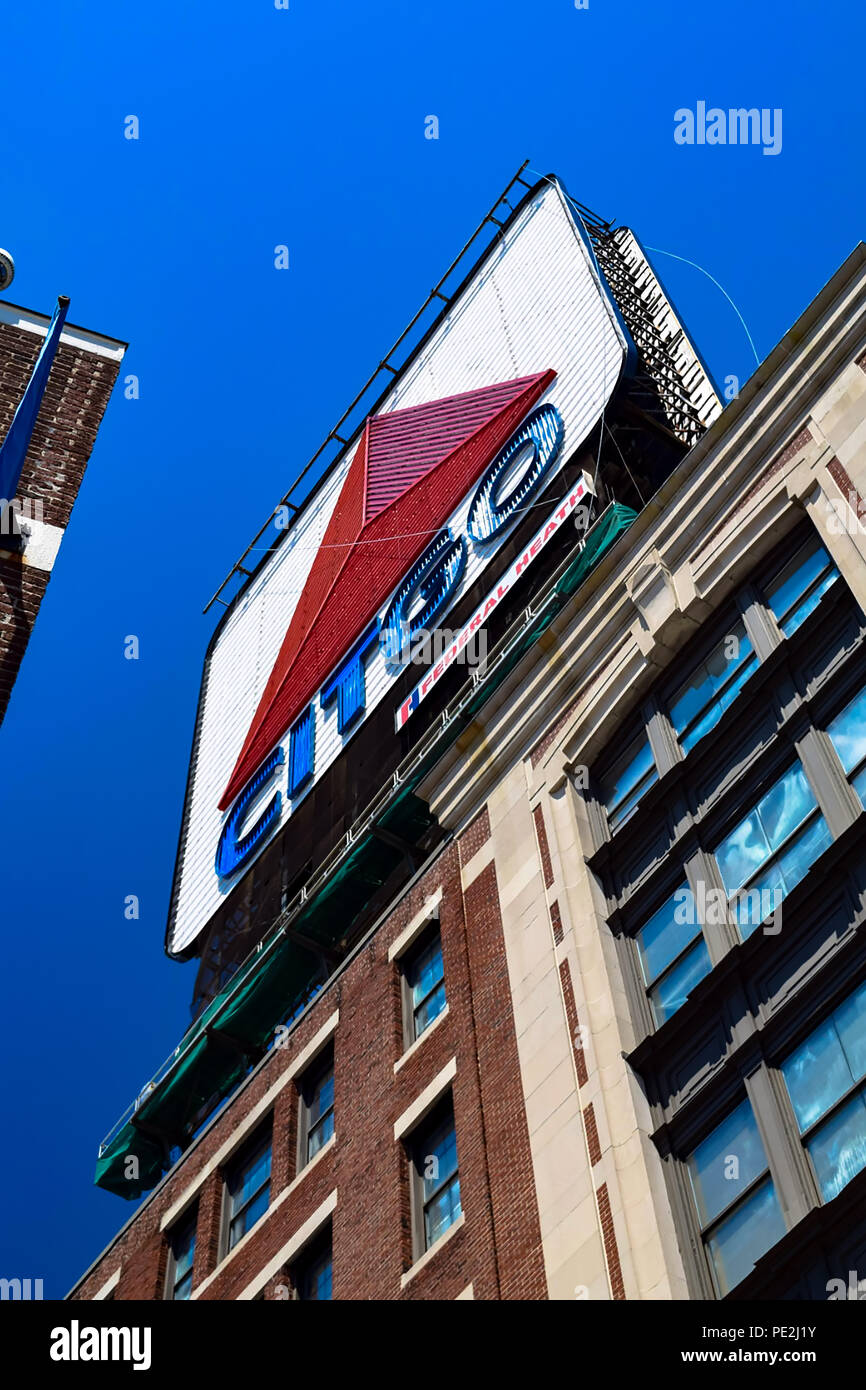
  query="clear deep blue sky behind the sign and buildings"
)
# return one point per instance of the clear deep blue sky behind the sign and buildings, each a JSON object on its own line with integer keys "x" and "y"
{"x": 302, "y": 127}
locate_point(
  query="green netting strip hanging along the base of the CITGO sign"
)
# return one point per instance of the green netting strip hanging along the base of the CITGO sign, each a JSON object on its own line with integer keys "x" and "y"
{"x": 245, "y": 1014}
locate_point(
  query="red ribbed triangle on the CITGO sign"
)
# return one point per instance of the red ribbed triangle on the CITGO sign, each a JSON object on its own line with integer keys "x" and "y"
{"x": 409, "y": 472}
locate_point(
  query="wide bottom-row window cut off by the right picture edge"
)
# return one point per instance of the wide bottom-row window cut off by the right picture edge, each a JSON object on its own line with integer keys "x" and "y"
{"x": 825, "y": 1081}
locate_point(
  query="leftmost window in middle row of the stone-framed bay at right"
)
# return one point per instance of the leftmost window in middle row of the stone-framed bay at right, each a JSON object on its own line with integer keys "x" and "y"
{"x": 673, "y": 954}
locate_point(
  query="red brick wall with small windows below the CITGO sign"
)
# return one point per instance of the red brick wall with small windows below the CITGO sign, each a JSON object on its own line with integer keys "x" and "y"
{"x": 498, "y": 1246}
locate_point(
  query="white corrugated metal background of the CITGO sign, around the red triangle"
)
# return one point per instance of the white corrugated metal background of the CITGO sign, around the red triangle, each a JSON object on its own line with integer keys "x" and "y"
{"x": 534, "y": 304}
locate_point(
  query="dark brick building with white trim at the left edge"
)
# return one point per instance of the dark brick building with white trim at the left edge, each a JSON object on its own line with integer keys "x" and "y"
{"x": 70, "y": 412}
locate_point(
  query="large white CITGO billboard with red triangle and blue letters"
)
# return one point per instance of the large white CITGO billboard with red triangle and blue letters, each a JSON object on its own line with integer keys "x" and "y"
{"x": 514, "y": 379}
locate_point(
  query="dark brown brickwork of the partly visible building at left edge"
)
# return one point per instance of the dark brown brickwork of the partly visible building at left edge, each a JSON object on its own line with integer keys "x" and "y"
{"x": 72, "y": 414}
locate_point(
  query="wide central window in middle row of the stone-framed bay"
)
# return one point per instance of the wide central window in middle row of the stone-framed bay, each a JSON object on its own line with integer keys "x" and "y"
{"x": 772, "y": 850}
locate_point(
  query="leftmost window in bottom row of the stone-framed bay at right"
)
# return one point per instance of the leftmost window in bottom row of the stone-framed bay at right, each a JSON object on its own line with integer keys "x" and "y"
{"x": 735, "y": 1197}
